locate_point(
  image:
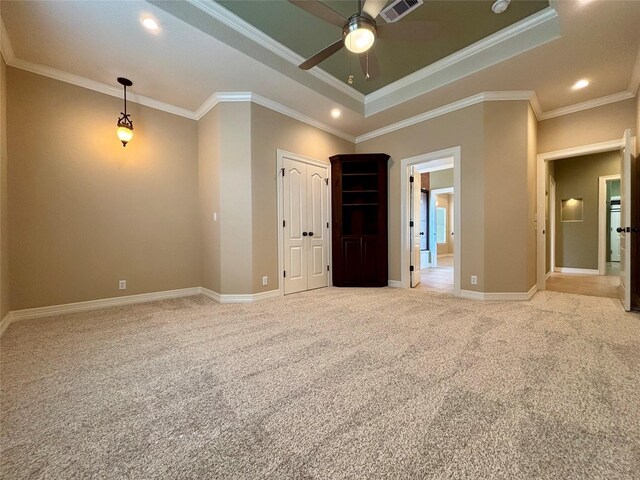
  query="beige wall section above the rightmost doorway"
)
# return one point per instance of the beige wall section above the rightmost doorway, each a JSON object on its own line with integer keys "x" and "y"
{"x": 596, "y": 125}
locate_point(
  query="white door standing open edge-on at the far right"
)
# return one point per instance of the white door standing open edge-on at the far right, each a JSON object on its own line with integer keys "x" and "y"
{"x": 625, "y": 220}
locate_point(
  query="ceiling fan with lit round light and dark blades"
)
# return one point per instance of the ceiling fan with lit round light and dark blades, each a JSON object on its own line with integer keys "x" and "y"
{"x": 360, "y": 31}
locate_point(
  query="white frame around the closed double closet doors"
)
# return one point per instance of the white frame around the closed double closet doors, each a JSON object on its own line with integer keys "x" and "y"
{"x": 280, "y": 154}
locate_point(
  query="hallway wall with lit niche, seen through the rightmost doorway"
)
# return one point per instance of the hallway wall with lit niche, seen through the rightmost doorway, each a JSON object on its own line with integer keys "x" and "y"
{"x": 577, "y": 177}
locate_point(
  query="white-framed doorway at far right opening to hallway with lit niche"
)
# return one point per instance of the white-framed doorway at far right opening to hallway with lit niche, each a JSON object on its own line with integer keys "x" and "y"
{"x": 574, "y": 221}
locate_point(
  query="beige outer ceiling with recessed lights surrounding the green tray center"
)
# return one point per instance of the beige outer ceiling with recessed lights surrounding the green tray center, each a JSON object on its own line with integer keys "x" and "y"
{"x": 197, "y": 54}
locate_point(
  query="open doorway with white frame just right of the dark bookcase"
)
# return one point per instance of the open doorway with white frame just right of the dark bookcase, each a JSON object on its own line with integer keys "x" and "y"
{"x": 430, "y": 221}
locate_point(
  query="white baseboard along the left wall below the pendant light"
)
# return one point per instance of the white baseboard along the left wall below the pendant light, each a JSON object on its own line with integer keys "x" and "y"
{"x": 39, "y": 312}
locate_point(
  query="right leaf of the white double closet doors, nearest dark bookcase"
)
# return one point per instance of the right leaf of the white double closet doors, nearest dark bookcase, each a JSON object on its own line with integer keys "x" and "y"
{"x": 317, "y": 223}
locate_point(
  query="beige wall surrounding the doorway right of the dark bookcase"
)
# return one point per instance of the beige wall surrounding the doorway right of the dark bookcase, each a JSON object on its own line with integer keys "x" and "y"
{"x": 465, "y": 128}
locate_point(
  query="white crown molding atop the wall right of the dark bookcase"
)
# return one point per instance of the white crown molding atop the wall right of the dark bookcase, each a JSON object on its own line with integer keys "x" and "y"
{"x": 523, "y": 95}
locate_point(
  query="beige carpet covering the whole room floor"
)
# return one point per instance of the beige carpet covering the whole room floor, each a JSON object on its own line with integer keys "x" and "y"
{"x": 334, "y": 383}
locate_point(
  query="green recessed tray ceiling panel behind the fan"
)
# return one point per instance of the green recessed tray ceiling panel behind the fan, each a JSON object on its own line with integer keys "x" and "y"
{"x": 462, "y": 23}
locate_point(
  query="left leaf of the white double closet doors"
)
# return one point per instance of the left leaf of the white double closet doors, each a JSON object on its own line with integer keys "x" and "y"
{"x": 295, "y": 218}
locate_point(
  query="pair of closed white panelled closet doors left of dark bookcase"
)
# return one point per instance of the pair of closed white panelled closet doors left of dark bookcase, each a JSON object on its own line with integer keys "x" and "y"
{"x": 305, "y": 209}
